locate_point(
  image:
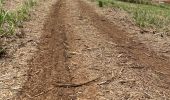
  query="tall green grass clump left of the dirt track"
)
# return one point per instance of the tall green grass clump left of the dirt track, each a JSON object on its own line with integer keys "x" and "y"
{"x": 9, "y": 21}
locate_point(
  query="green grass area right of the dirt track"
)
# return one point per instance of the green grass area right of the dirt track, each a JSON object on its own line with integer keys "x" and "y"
{"x": 145, "y": 15}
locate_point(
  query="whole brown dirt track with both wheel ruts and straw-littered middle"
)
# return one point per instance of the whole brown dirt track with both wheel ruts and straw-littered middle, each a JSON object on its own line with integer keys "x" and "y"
{"x": 83, "y": 56}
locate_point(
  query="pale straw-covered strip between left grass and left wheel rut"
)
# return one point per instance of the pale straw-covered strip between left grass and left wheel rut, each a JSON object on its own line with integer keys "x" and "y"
{"x": 20, "y": 49}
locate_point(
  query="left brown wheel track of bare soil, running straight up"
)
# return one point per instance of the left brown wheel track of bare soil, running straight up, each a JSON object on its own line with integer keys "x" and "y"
{"x": 49, "y": 65}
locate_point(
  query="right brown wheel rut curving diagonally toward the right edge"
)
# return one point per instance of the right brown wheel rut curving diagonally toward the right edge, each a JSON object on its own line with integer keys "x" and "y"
{"x": 131, "y": 47}
